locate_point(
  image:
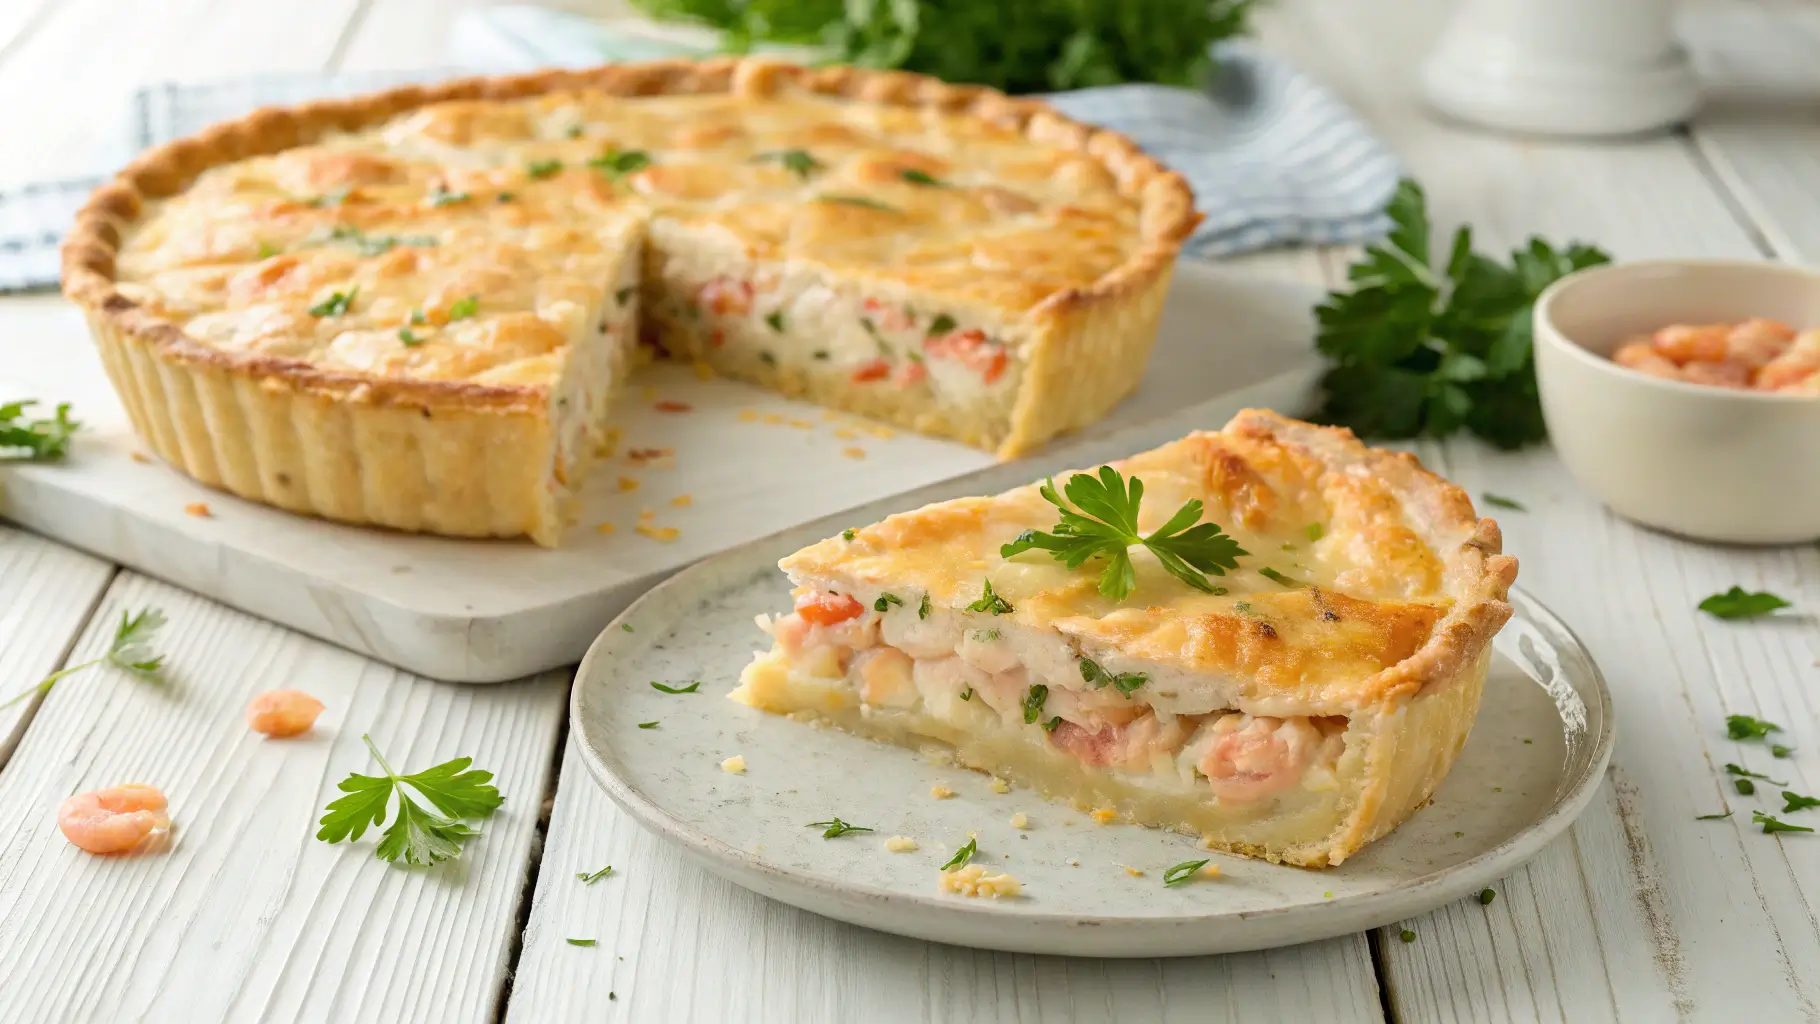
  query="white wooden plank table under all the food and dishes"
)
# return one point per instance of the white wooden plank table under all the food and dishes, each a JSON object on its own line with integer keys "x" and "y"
{"x": 1643, "y": 912}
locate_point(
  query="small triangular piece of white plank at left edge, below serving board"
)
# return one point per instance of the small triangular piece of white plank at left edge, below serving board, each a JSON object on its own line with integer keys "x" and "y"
{"x": 46, "y": 596}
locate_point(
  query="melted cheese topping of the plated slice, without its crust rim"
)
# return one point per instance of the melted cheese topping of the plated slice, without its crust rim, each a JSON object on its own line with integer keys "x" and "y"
{"x": 1373, "y": 587}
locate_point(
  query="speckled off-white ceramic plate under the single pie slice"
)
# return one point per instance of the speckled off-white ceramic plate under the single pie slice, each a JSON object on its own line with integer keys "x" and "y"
{"x": 1532, "y": 765}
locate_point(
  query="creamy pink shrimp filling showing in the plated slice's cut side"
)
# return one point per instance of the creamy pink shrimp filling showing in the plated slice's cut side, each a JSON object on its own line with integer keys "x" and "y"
{"x": 905, "y": 658}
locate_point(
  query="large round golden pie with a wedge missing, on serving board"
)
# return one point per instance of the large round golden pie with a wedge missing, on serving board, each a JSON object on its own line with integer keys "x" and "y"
{"x": 414, "y": 308}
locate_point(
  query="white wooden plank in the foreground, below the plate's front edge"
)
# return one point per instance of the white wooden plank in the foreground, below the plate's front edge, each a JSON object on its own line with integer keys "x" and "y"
{"x": 680, "y": 945}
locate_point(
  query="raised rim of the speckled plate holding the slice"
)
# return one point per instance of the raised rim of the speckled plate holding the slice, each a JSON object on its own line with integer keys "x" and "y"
{"x": 1590, "y": 748}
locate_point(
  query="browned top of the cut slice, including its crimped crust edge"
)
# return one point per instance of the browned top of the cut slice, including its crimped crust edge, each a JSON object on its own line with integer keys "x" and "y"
{"x": 1404, "y": 583}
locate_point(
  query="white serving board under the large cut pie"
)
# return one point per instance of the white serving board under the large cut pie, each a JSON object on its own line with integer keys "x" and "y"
{"x": 749, "y": 463}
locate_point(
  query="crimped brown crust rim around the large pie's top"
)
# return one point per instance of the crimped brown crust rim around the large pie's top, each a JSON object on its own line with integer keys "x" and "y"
{"x": 92, "y": 248}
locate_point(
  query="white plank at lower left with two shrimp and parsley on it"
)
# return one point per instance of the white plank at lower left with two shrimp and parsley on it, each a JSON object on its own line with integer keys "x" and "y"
{"x": 247, "y": 916}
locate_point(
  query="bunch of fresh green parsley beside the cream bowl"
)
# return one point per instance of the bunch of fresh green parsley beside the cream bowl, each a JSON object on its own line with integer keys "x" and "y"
{"x": 1431, "y": 350}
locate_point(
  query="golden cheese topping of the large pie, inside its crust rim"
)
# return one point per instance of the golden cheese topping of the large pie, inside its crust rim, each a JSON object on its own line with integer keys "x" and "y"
{"x": 472, "y": 241}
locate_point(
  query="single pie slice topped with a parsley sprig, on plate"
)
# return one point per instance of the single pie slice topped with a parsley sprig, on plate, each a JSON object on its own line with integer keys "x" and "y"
{"x": 1289, "y": 679}
